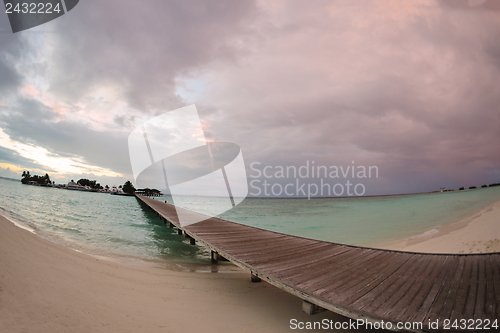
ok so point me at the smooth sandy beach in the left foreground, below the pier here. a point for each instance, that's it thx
(46, 287)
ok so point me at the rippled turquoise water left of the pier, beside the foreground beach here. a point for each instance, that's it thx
(98, 223)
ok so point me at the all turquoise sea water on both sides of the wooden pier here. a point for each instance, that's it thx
(115, 225)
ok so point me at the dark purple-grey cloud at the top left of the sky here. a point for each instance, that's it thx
(141, 47)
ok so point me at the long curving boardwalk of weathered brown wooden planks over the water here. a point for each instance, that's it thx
(357, 282)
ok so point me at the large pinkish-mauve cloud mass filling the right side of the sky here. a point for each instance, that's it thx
(416, 94)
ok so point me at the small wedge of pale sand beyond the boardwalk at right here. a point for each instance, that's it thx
(477, 233)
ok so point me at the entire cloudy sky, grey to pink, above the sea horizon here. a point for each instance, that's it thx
(411, 87)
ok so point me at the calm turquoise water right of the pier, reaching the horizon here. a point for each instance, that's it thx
(368, 221)
